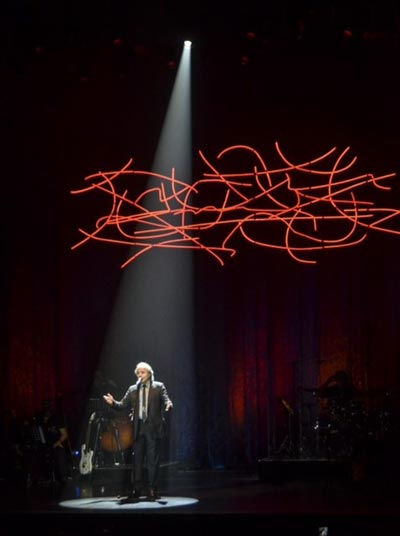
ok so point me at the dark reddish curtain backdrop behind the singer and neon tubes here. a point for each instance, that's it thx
(267, 328)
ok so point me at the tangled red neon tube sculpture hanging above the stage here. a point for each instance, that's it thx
(297, 208)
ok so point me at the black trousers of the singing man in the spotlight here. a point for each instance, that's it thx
(146, 458)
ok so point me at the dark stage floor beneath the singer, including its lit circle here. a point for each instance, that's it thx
(194, 500)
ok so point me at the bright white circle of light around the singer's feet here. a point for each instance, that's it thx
(114, 503)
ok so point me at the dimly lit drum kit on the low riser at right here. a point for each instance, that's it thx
(333, 423)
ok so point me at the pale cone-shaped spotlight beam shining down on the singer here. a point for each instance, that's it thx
(153, 316)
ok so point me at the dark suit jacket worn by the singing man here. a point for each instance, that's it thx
(157, 400)
